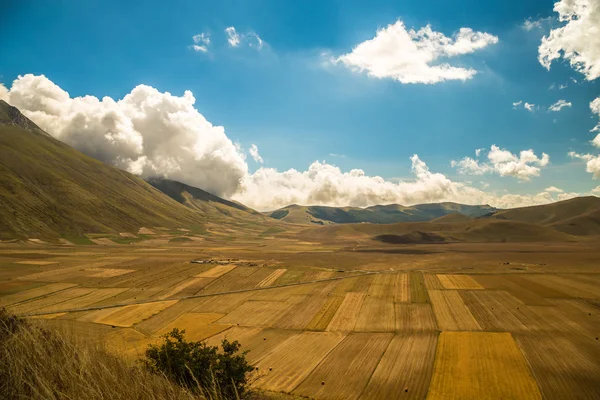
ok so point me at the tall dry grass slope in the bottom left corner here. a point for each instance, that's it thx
(38, 364)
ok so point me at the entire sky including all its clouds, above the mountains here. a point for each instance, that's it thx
(320, 102)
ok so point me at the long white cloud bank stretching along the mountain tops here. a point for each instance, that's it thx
(159, 134)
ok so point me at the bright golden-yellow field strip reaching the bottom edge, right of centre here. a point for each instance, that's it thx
(479, 366)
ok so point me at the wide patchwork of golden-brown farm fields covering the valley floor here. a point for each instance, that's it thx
(328, 319)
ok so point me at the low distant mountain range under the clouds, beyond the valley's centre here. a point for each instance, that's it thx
(381, 214)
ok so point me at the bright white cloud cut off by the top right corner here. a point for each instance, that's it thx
(578, 41)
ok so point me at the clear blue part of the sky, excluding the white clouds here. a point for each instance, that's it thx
(296, 105)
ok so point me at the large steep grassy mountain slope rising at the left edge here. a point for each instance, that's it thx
(48, 190)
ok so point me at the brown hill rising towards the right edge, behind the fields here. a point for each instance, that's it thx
(579, 216)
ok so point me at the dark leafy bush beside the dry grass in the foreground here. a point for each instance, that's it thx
(201, 368)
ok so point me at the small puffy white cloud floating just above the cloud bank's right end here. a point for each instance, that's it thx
(524, 166)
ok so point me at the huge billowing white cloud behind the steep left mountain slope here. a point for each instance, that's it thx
(147, 132)
